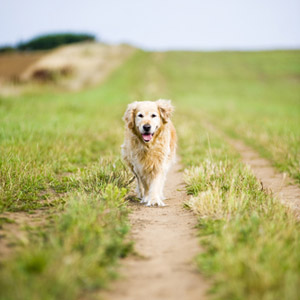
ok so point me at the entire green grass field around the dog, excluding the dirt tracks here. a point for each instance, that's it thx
(60, 152)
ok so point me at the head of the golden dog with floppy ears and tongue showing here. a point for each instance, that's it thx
(145, 118)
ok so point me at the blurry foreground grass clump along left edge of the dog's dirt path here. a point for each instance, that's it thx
(79, 251)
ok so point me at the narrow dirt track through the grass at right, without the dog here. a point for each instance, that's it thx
(282, 186)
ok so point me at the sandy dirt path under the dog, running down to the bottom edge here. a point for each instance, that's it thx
(166, 240)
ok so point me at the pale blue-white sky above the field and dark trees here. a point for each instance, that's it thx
(159, 24)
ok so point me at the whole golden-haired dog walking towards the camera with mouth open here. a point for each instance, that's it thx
(149, 154)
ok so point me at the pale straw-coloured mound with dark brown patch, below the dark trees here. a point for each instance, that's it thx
(78, 65)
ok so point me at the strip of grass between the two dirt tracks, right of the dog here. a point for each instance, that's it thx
(251, 242)
